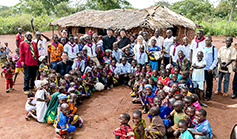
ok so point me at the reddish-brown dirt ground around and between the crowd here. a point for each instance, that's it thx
(100, 112)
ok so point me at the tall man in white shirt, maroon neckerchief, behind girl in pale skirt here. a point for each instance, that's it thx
(197, 44)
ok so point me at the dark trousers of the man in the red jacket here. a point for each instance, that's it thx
(29, 77)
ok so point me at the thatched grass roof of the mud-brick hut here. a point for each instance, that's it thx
(152, 17)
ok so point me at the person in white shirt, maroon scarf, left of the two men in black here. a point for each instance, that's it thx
(91, 50)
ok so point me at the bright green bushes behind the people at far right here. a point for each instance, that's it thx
(221, 27)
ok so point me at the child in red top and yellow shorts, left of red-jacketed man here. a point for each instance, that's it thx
(18, 66)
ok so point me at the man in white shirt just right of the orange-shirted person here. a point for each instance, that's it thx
(71, 48)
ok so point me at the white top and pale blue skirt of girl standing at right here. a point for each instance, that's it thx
(198, 74)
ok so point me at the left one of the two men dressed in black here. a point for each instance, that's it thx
(108, 40)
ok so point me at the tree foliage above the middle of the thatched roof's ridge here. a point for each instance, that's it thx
(107, 4)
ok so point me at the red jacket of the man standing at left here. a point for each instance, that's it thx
(25, 54)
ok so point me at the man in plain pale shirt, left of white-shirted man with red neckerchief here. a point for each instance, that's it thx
(168, 42)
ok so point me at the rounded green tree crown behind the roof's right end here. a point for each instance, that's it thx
(194, 9)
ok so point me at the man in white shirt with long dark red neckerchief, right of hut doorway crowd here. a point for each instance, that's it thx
(174, 49)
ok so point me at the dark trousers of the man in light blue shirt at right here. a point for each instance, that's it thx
(209, 84)
